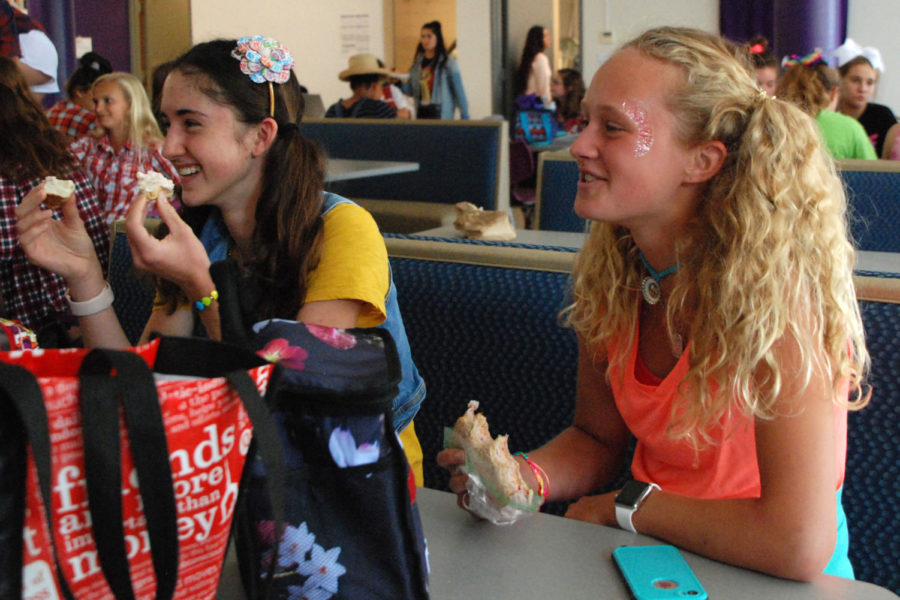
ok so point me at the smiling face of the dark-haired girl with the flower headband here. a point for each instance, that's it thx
(211, 149)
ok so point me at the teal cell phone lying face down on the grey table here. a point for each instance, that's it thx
(657, 573)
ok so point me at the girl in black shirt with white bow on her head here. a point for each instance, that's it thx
(860, 69)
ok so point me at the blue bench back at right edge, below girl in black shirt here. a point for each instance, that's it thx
(873, 193)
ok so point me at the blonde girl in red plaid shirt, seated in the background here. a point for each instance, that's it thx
(131, 143)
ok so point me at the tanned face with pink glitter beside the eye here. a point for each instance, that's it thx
(631, 165)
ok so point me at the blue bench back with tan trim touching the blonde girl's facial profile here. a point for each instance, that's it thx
(557, 184)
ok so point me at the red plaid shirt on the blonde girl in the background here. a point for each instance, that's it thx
(114, 174)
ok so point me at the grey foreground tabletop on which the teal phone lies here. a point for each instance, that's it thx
(545, 556)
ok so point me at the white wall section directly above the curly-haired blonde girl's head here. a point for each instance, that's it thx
(625, 19)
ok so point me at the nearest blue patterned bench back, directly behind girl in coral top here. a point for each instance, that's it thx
(482, 324)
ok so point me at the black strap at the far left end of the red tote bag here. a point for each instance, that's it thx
(20, 389)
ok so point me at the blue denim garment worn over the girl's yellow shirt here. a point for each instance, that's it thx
(411, 389)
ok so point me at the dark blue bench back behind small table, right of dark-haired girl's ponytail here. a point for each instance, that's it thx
(458, 161)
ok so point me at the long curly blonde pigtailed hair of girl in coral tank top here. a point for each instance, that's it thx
(766, 256)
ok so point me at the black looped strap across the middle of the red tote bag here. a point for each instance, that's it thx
(108, 377)
